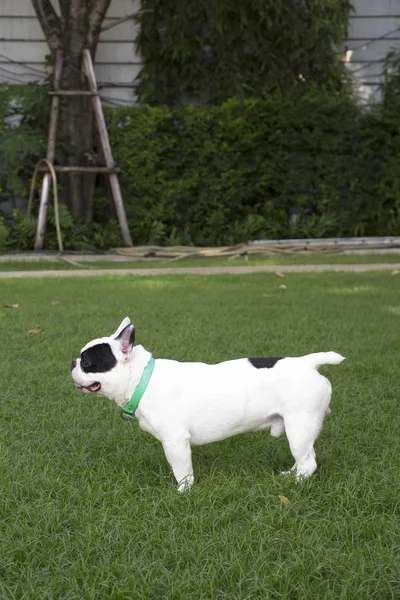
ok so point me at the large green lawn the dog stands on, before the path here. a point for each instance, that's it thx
(89, 507)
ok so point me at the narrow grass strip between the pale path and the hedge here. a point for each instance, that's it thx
(312, 258)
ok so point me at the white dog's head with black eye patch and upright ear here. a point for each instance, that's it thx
(104, 365)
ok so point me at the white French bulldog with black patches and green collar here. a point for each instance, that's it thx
(185, 404)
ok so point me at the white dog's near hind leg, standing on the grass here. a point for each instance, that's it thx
(302, 430)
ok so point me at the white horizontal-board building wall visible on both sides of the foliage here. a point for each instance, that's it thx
(373, 32)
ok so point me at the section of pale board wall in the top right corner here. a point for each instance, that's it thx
(374, 31)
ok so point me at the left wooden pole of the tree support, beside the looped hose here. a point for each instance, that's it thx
(51, 147)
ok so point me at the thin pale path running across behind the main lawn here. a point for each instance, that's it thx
(204, 270)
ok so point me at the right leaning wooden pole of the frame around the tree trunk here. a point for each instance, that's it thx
(103, 134)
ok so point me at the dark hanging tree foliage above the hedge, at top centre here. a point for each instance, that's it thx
(211, 51)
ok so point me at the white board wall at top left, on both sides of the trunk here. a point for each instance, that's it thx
(22, 41)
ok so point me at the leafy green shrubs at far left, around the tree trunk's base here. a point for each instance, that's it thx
(23, 124)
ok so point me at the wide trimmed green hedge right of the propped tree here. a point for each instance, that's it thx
(315, 165)
